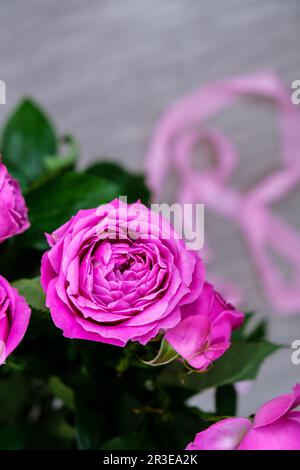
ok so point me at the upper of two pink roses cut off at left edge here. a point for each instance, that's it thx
(13, 210)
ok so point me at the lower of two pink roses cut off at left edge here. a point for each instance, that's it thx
(14, 318)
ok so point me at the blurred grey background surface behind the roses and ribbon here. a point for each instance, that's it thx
(105, 71)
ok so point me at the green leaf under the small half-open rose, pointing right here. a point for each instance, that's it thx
(241, 362)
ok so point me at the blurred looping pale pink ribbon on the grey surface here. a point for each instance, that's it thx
(175, 137)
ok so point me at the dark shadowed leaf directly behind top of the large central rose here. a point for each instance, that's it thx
(131, 185)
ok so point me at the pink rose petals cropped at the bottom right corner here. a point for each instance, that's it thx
(276, 426)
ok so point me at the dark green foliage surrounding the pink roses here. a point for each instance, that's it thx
(61, 393)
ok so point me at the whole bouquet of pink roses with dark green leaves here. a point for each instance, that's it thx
(108, 323)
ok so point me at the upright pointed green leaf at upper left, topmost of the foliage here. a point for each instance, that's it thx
(28, 137)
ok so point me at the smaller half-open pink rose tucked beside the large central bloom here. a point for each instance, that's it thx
(204, 332)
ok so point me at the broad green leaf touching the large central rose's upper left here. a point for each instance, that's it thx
(56, 201)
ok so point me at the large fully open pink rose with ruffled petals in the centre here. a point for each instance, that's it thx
(118, 273)
